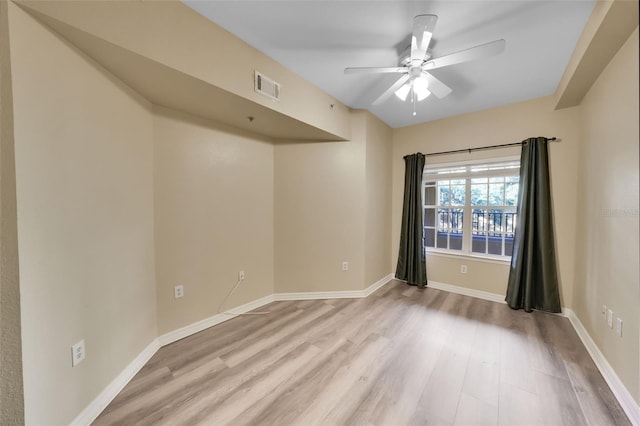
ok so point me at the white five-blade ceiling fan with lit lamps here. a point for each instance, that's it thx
(416, 78)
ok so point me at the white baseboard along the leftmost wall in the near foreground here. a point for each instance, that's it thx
(93, 410)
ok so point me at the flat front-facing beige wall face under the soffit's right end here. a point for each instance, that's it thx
(319, 213)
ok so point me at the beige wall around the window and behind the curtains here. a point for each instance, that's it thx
(511, 123)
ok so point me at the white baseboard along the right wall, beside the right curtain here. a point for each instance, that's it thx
(629, 405)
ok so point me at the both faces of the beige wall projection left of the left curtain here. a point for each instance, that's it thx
(332, 205)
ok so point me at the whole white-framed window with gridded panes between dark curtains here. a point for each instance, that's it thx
(471, 208)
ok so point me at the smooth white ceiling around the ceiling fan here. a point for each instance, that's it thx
(318, 39)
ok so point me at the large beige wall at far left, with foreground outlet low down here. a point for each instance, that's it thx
(85, 205)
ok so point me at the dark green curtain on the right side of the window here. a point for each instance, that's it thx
(533, 278)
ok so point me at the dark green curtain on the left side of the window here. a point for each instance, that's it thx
(412, 266)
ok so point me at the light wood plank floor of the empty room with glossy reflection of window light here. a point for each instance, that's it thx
(402, 356)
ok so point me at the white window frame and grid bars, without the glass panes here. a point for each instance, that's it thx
(466, 173)
